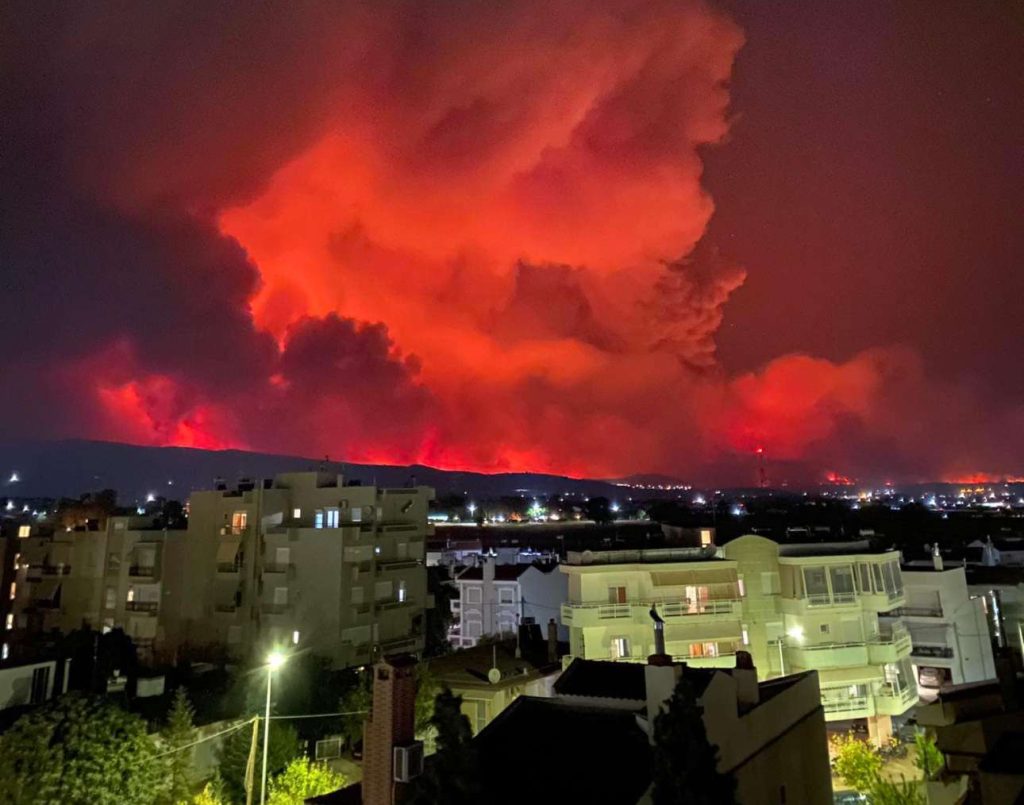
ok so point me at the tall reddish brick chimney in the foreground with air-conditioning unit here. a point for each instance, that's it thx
(392, 724)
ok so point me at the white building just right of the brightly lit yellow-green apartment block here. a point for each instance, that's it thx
(949, 627)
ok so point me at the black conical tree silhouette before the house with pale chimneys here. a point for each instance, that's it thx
(686, 762)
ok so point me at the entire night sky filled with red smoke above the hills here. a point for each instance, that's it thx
(589, 238)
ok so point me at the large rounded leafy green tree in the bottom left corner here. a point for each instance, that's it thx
(79, 751)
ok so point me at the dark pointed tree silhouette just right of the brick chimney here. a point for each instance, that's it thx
(452, 777)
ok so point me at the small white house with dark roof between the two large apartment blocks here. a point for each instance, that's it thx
(494, 600)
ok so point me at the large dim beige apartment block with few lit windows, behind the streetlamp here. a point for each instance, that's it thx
(308, 561)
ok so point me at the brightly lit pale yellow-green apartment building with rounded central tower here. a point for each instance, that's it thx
(800, 608)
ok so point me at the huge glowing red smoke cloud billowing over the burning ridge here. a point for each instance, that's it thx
(456, 234)
